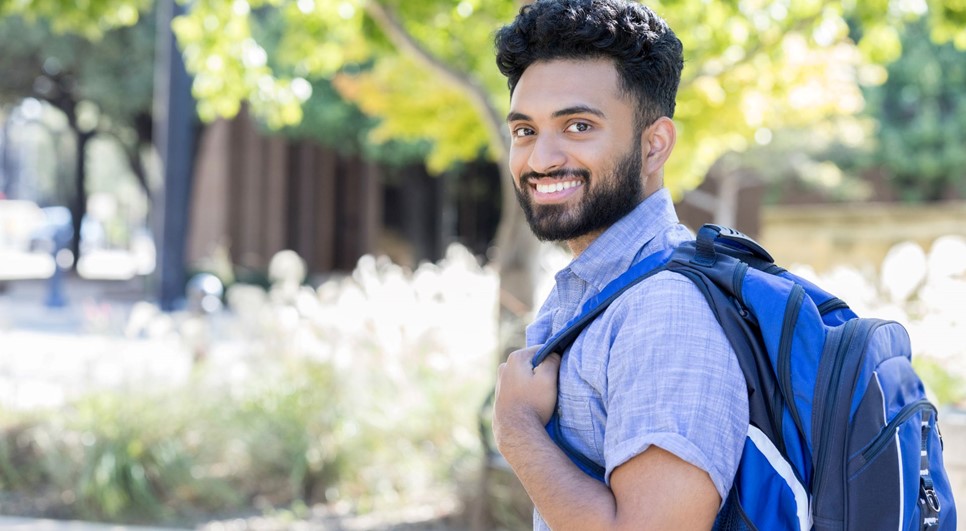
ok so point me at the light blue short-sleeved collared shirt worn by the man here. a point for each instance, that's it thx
(655, 367)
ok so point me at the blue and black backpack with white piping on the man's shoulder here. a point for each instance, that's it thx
(841, 435)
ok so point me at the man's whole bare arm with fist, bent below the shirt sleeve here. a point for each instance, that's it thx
(645, 492)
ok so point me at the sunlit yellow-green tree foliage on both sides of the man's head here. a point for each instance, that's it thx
(426, 70)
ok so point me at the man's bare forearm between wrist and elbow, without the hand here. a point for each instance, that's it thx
(565, 496)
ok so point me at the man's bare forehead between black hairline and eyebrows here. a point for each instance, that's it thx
(548, 86)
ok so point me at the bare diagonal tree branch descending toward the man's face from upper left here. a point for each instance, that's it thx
(479, 98)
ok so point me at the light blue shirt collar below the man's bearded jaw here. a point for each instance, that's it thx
(617, 248)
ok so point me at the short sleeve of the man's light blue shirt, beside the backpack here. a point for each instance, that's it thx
(673, 381)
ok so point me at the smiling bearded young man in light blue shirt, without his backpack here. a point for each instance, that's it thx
(651, 390)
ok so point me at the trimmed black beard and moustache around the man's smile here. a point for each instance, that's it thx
(601, 207)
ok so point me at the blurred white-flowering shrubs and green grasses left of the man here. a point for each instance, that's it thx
(364, 391)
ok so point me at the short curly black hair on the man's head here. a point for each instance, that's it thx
(647, 54)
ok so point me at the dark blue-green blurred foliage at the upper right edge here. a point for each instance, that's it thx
(921, 112)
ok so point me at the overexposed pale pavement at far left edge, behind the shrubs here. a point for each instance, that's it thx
(50, 355)
